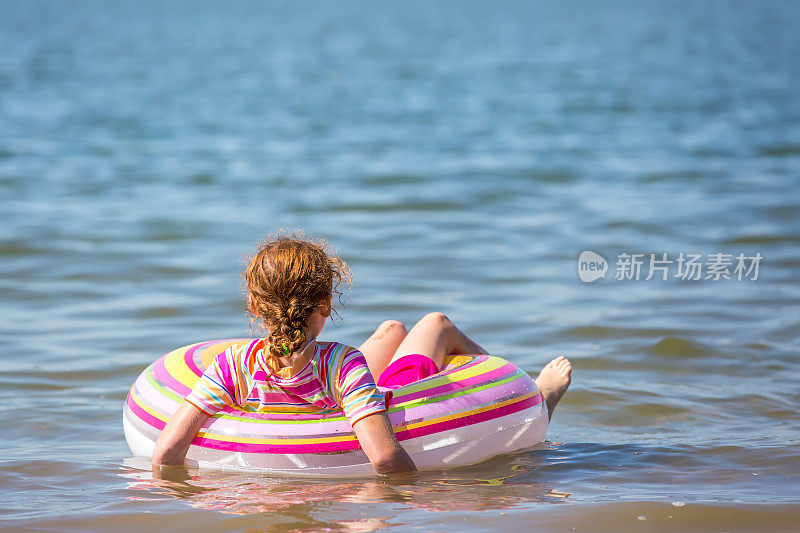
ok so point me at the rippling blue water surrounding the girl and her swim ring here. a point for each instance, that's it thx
(460, 156)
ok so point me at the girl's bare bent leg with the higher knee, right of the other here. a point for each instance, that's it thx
(436, 336)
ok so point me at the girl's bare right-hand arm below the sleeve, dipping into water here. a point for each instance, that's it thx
(376, 436)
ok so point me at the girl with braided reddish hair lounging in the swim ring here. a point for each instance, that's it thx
(290, 284)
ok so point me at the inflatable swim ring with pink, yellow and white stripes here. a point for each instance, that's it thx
(477, 407)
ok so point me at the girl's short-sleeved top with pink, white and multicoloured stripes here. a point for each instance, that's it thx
(335, 379)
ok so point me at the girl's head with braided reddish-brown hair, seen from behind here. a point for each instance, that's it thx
(286, 282)
